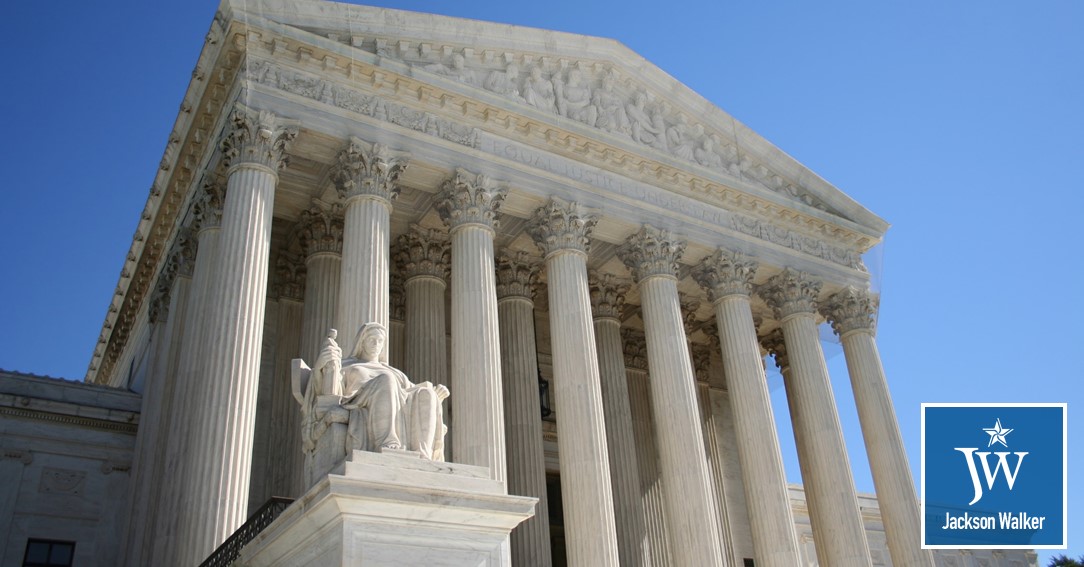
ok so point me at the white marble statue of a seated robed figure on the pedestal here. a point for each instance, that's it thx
(359, 403)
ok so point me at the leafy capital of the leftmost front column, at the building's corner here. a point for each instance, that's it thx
(259, 138)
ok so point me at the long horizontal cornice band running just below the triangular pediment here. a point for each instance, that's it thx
(317, 69)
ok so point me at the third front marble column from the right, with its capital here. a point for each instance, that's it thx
(728, 278)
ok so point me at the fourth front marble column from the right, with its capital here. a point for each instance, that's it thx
(652, 255)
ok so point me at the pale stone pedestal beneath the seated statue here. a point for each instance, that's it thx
(394, 509)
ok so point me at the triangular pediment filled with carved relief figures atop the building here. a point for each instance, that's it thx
(595, 85)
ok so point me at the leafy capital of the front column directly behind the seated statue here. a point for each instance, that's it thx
(368, 170)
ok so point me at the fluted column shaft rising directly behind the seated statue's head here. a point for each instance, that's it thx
(364, 292)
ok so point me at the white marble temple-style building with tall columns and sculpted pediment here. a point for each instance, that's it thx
(592, 259)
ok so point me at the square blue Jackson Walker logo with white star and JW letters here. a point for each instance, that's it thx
(995, 476)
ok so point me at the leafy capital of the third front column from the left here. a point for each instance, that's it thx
(471, 199)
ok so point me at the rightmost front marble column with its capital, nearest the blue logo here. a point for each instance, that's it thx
(853, 314)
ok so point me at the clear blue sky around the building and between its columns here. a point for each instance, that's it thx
(960, 123)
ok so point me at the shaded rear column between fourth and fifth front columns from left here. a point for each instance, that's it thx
(608, 302)
